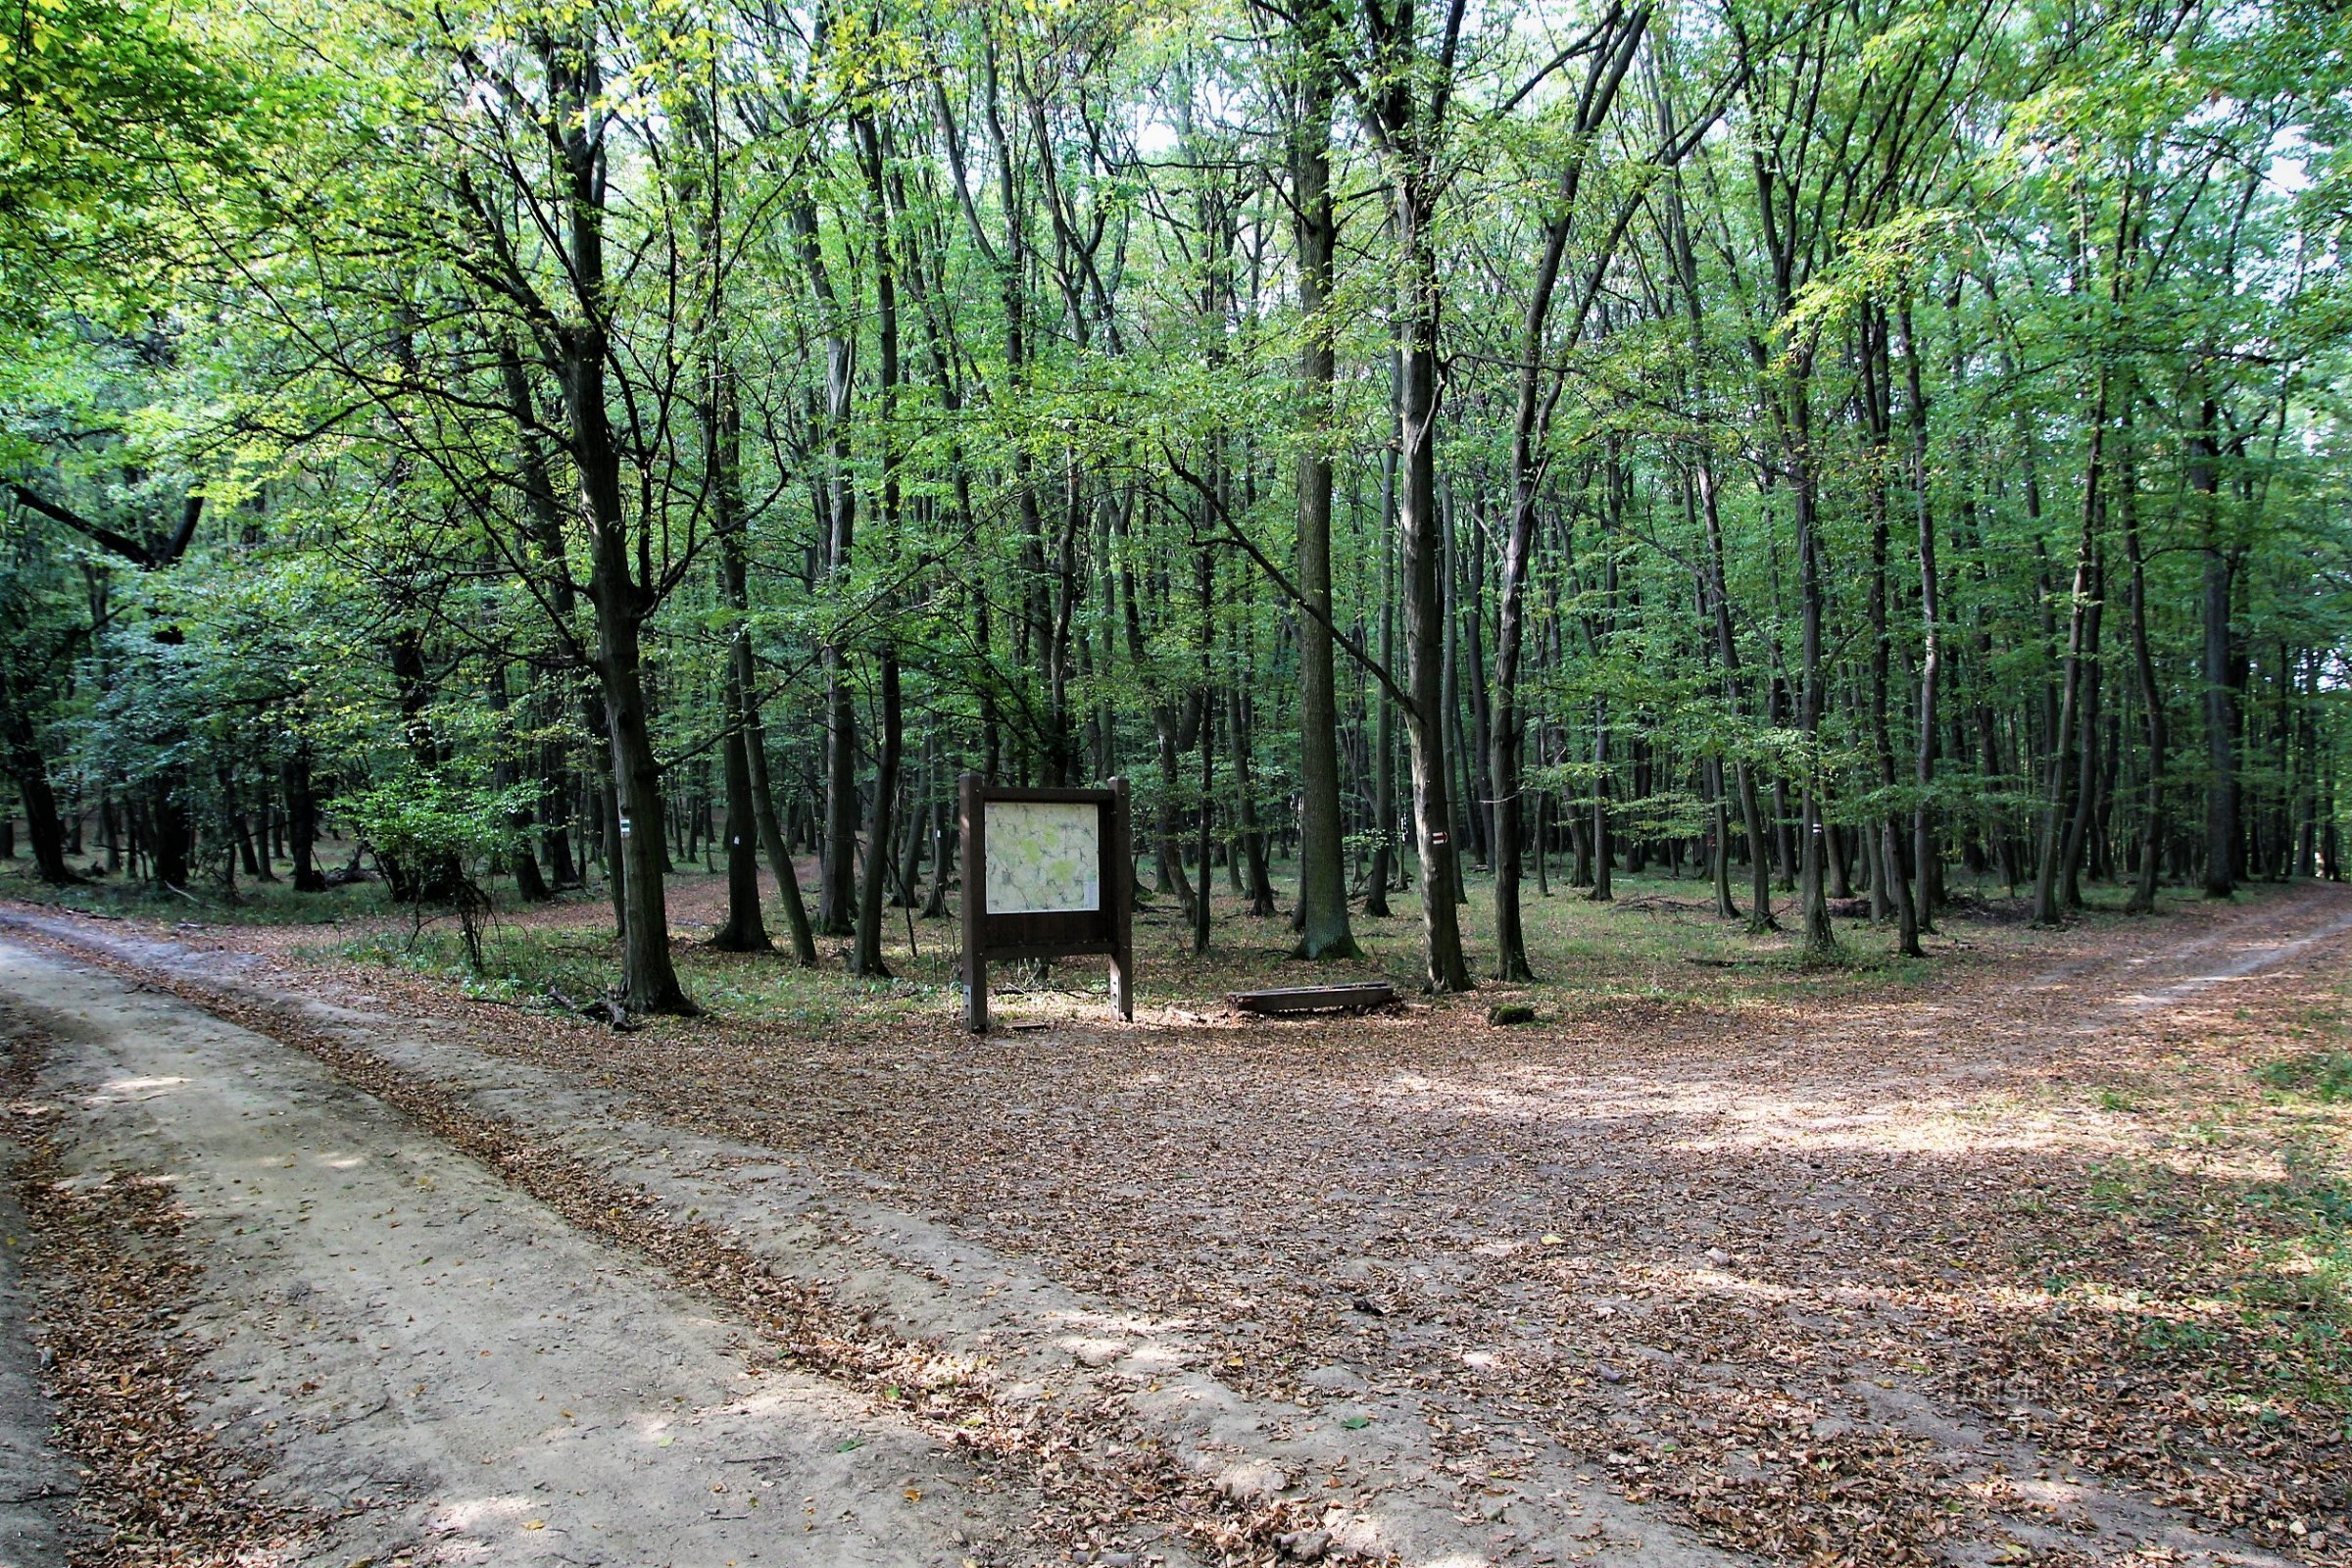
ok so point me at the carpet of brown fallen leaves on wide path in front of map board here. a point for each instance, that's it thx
(1989, 1264)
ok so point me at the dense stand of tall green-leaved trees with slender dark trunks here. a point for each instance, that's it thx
(1838, 450)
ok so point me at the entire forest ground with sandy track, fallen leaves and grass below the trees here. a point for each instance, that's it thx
(2036, 1252)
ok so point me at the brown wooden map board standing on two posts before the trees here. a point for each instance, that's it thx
(1057, 909)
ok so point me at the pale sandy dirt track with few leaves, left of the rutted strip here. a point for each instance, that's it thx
(450, 1362)
